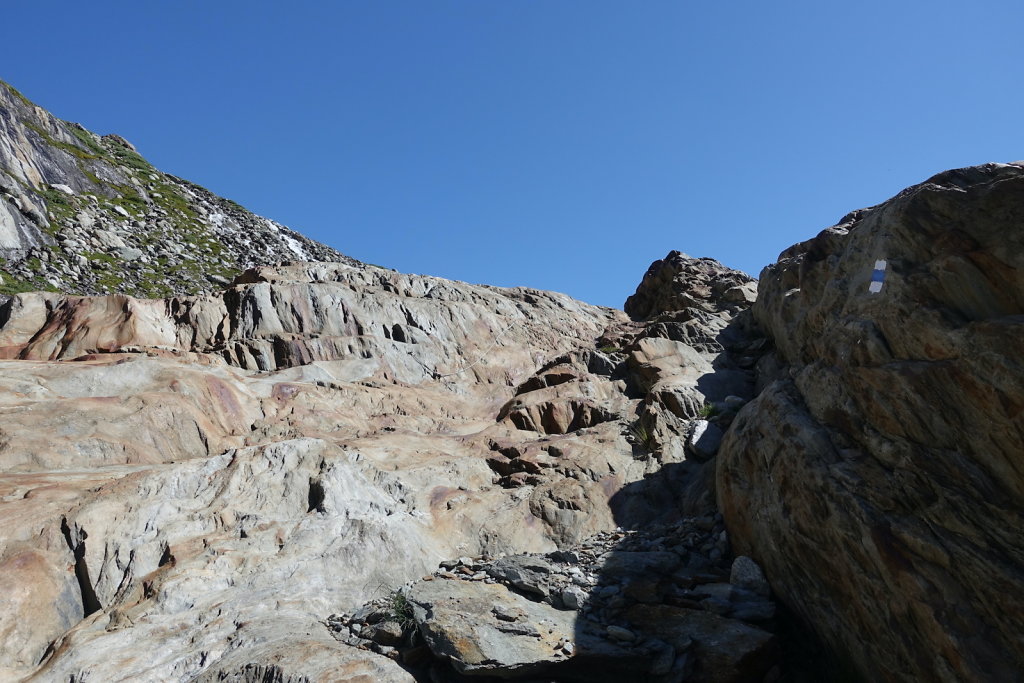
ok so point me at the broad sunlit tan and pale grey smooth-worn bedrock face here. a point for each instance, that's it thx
(216, 476)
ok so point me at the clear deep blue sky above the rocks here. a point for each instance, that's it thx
(559, 145)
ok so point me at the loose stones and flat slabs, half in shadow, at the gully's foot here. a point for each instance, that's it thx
(664, 603)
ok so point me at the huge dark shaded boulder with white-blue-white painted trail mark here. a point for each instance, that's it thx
(879, 477)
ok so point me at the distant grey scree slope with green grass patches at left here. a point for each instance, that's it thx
(87, 215)
